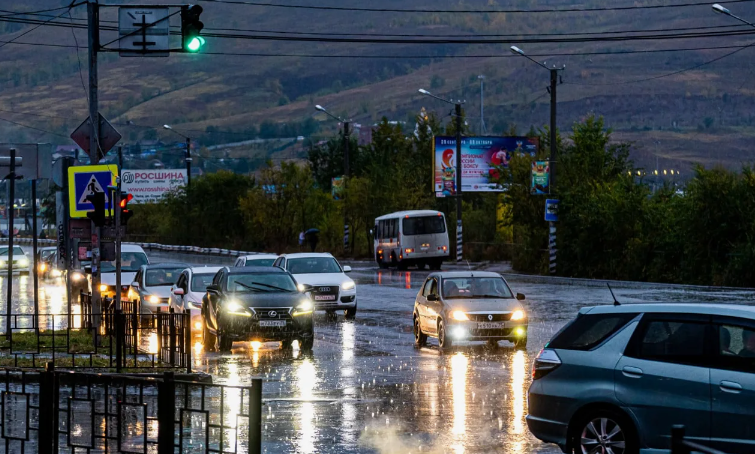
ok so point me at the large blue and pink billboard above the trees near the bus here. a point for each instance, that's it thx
(480, 158)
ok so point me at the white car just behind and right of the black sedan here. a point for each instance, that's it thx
(329, 287)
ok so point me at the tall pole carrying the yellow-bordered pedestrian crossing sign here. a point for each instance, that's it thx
(93, 15)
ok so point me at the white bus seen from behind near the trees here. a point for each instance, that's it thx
(411, 238)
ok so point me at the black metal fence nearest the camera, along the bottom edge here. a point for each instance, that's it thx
(45, 412)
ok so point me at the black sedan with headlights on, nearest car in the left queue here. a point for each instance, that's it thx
(256, 304)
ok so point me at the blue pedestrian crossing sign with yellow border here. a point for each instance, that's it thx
(86, 180)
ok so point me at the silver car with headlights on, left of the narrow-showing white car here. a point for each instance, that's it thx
(153, 284)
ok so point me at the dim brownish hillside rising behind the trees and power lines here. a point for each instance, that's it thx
(700, 115)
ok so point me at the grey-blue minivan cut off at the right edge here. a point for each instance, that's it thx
(616, 379)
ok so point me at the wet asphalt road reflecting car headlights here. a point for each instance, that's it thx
(366, 389)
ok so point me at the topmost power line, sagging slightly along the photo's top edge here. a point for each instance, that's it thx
(451, 11)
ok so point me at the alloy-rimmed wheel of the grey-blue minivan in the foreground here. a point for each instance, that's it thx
(604, 431)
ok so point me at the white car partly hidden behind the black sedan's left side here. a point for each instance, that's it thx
(189, 290)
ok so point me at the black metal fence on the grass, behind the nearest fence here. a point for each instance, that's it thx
(108, 339)
